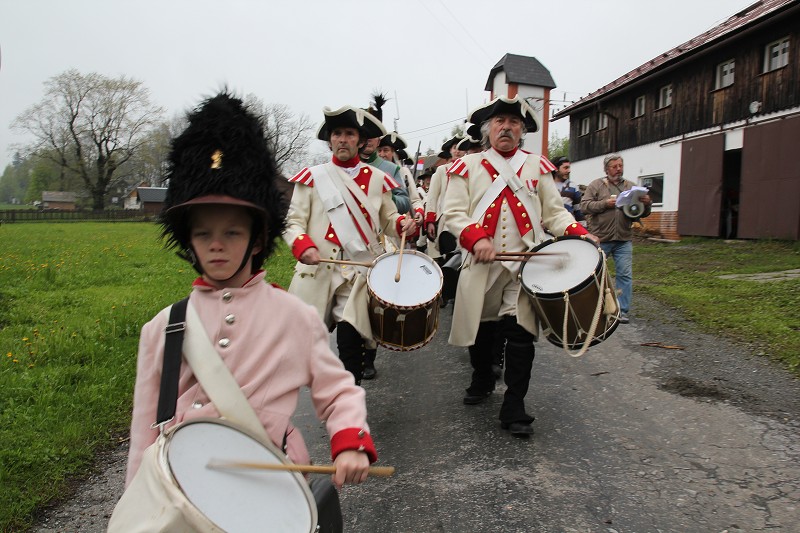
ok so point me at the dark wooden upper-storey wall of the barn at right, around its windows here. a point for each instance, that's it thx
(696, 104)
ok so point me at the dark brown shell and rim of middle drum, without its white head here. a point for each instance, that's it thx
(404, 327)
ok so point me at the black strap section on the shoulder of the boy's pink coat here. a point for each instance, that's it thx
(173, 344)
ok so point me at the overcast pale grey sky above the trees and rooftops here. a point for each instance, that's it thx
(431, 57)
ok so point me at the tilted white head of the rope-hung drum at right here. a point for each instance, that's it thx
(577, 259)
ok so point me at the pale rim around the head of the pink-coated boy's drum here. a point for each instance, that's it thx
(163, 462)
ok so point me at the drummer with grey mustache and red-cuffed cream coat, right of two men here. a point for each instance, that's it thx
(498, 201)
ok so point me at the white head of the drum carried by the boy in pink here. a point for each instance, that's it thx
(237, 500)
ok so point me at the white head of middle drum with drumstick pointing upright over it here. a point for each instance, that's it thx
(420, 279)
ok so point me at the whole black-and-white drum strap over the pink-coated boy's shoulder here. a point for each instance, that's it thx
(215, 378)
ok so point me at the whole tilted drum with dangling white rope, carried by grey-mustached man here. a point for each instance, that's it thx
(571, 282)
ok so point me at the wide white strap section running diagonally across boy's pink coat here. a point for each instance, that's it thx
(216, 378)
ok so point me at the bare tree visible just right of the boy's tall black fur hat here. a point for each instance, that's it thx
(288, 136)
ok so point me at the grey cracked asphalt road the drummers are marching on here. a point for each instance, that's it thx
(628, 438)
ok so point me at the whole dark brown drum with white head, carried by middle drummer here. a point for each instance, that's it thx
(404, 314)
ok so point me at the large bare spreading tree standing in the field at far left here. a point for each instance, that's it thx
(90, 125)
